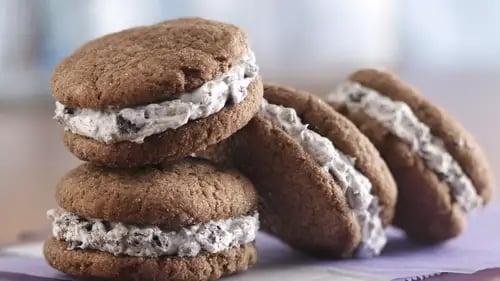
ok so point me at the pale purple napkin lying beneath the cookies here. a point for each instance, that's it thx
(476, 250)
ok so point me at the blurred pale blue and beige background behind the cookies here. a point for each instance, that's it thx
(449, 49)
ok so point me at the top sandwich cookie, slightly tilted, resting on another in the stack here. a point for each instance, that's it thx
(157, 93)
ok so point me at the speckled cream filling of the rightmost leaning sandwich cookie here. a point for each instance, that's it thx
(400, 120)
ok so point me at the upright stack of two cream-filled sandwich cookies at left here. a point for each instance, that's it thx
(135, 105)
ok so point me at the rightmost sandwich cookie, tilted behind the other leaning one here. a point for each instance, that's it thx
(439, 168)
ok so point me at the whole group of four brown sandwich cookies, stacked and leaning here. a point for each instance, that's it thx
(329, 177)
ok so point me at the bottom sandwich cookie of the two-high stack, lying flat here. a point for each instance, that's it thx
(188, 221)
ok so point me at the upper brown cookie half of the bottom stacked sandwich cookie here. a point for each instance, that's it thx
(184, 193)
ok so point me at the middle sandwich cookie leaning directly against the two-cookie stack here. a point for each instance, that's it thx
(323, 187)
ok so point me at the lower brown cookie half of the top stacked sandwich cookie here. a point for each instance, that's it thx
(170, 145)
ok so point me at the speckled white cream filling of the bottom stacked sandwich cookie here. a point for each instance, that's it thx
(151, 241)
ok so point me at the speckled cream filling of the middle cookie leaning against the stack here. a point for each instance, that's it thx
(355, 185)
